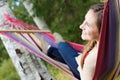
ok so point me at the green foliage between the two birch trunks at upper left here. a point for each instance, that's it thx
(20, 12)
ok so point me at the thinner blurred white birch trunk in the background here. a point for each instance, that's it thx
(39, 22)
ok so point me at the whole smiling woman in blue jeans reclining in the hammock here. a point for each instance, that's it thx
(82, 65)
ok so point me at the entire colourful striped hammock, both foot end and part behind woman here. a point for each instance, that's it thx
(108, 62)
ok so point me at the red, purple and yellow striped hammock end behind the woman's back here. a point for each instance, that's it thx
(108, 61)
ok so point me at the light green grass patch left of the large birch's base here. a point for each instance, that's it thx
(7, 71)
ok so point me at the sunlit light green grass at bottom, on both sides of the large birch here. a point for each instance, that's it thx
(8, 72)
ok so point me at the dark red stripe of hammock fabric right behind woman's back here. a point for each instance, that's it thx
(102, 60)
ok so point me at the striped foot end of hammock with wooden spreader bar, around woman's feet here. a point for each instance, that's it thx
(30, 40)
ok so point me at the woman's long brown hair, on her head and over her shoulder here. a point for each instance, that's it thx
(98, 9)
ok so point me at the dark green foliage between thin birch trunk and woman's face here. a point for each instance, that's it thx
(63, 16)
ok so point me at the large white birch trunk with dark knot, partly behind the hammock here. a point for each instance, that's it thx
(28, 66)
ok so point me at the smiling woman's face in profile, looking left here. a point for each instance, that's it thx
(89, 26)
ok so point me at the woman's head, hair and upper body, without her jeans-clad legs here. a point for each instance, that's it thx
(90, 32)
